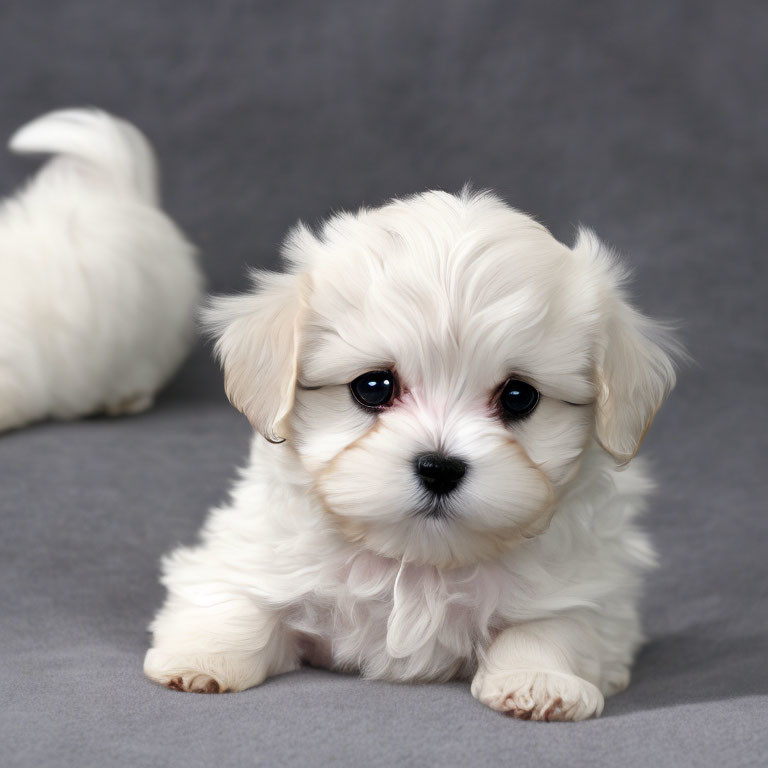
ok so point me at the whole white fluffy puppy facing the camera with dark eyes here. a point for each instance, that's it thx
(443, 393)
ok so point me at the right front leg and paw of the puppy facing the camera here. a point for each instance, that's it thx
(543, 670)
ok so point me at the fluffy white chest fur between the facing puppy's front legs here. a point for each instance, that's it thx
(396, 622)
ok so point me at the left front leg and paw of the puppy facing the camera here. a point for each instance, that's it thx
(209, 638)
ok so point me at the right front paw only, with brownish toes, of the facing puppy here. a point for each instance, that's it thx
(535, 694)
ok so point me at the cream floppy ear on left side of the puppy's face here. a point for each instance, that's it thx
(257, 344)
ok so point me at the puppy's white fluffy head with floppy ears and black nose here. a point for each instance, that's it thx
(439, 366)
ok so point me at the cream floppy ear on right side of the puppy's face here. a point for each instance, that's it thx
(633, 366)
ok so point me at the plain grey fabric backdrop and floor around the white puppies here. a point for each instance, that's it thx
(647, 121)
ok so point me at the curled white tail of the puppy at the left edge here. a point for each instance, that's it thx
(97, 140)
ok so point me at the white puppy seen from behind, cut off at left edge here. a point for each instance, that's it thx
(98, 287)
